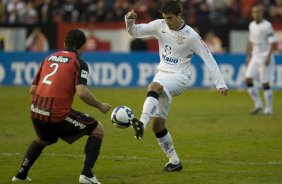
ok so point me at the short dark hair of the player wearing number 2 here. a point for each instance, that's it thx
(75, 39)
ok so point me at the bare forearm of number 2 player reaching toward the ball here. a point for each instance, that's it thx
(86, 96)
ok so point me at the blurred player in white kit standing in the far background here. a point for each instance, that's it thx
(260, 60)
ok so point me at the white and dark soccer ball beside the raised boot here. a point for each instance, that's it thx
(122, 116)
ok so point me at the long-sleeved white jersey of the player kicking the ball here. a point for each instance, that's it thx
(176, 48)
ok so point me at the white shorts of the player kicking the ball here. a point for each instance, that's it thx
(173, 85)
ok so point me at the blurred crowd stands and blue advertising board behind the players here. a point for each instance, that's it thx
(227, 19)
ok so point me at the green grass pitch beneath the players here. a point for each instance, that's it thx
(215, 137)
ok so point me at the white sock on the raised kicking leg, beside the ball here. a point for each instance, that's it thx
(149, 109)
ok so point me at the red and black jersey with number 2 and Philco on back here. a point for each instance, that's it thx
(56, 79)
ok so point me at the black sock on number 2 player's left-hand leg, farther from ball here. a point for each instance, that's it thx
(32, 153)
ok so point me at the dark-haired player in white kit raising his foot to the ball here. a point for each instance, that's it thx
(177, 43)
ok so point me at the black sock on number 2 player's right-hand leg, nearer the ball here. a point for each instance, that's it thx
(92, 149)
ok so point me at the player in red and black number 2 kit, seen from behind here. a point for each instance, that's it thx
(60, 76)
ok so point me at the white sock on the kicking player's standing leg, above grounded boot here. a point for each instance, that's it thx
(166, 145)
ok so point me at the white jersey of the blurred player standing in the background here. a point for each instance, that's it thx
(261, 35)
